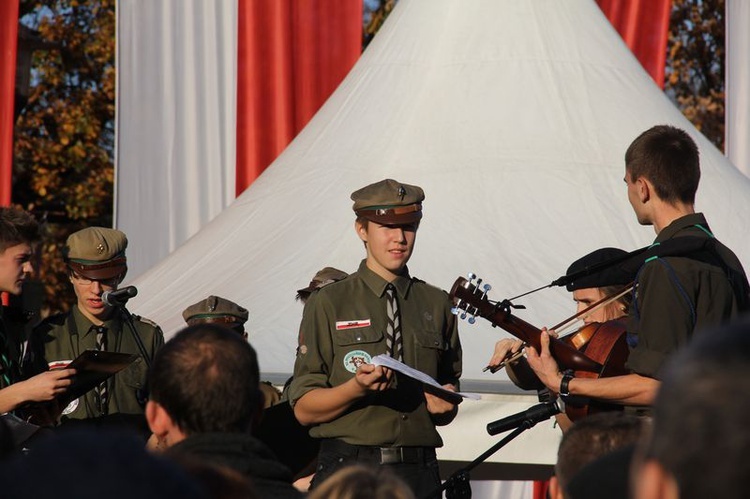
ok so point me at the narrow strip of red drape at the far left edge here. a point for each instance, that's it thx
(8, 44)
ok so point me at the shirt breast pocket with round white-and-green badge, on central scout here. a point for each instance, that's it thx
(354, 347)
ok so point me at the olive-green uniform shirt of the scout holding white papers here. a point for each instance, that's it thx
(344, 324)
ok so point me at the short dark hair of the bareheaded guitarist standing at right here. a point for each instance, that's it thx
(668, 158)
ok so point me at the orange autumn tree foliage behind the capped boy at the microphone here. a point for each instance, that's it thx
(64, 135)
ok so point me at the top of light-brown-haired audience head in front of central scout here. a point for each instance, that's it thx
(362, 482)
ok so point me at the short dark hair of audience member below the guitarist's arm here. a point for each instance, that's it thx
(593, 437)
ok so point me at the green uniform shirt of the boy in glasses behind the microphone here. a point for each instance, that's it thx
(60, 339)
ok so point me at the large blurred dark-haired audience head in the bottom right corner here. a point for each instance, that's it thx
(699, 444)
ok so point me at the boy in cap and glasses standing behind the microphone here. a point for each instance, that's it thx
(96, 263)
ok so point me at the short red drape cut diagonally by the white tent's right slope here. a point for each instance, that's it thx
(644, 26)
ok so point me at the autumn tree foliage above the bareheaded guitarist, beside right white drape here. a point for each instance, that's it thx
(694, 76)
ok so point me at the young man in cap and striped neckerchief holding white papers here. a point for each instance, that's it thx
(364, 412)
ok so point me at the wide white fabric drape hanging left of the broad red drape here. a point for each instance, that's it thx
(176, 108)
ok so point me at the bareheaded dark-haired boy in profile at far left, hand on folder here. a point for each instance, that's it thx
(18, 233)
